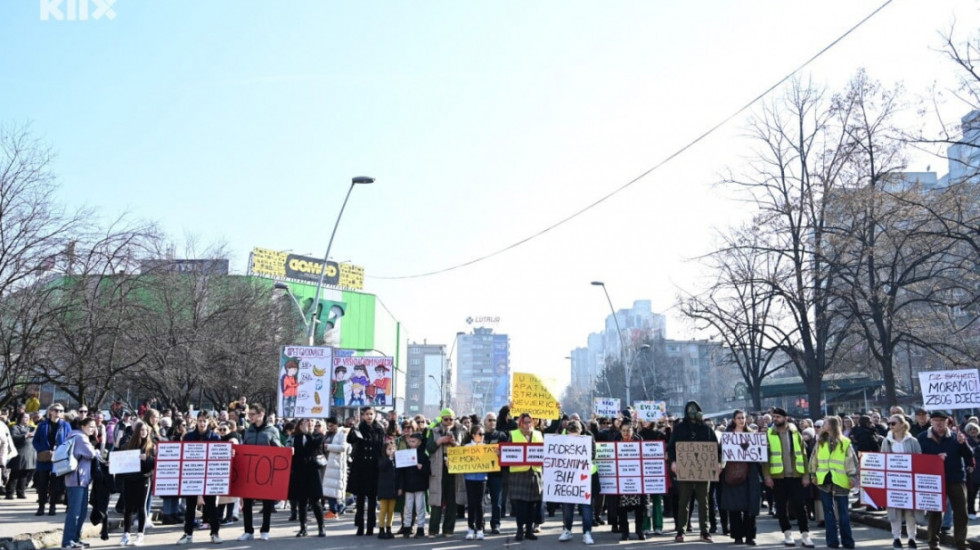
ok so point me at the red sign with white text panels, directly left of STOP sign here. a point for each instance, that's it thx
(191, 468)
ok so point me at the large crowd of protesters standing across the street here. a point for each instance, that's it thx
(810, 477)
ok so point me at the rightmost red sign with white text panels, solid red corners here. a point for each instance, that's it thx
(909, 481)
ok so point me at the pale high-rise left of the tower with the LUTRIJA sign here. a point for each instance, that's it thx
(425, 379)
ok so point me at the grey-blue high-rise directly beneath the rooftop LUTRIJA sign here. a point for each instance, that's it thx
(482, 371)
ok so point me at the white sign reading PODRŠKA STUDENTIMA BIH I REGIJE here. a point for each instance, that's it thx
(567, 471)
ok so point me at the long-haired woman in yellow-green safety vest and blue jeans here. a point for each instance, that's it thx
(834, 463)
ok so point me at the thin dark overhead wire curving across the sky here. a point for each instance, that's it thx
(669, 158)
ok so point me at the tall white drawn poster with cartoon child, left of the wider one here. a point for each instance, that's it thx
(302, 386)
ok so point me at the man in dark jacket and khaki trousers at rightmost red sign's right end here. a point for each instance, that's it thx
(939, 440)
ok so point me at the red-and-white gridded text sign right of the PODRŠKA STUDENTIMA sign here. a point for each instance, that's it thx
(632, 467)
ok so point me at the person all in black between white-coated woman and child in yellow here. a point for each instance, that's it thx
(367, 442)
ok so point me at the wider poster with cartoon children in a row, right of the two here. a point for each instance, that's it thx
(358, 381)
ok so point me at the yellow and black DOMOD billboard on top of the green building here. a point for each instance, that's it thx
(274, 264)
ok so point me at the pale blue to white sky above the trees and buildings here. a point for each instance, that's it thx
(242, 122)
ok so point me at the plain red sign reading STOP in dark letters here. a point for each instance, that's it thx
(261, 472)
